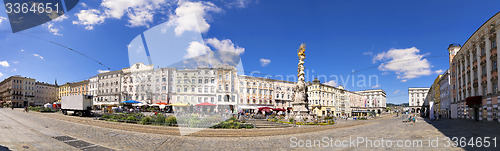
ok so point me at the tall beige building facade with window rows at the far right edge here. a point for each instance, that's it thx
(474, 73)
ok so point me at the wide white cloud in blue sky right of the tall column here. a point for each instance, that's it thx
(406, 63)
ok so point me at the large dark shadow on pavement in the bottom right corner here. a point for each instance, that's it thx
(456, 129)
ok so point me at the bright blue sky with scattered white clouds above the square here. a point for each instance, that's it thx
(341, 37)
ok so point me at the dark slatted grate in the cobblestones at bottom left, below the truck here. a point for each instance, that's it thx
(86, 146)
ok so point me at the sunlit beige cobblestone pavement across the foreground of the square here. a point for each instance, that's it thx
(120, 136)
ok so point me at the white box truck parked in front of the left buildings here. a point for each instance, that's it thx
(80, 105)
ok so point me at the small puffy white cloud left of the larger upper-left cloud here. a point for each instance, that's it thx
(89, 18)
